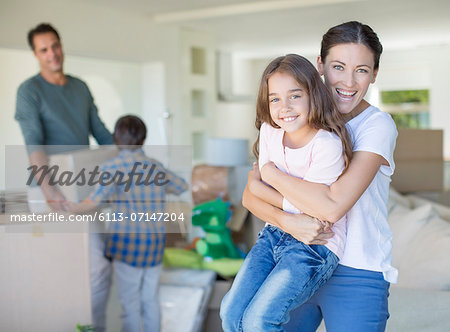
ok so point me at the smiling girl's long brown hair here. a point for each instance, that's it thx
(323, 113)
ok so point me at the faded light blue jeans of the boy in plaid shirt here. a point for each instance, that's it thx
(138, 295)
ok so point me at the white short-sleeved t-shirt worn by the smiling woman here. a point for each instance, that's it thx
(369, 238)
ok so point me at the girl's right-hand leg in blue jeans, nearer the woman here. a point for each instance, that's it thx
(299, 272)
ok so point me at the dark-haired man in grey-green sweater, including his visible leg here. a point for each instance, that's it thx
(54, 108)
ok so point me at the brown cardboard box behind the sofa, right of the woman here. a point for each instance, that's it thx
(419, 160)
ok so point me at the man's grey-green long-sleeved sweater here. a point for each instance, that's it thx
(51, 114)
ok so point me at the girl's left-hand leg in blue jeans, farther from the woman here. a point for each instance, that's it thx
(257, 266)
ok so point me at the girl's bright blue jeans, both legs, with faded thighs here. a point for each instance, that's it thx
(279, 274)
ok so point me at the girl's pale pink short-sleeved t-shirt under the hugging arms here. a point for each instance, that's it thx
(320, 161)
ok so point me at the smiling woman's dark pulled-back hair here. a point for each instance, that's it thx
(352, 32)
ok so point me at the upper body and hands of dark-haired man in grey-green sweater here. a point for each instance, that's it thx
(54, 108)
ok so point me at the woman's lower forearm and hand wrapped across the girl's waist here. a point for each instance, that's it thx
(302, 227)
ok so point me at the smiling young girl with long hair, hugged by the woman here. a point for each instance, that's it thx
(302, 133)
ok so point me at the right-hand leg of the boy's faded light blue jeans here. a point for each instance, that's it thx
(151, 315)
